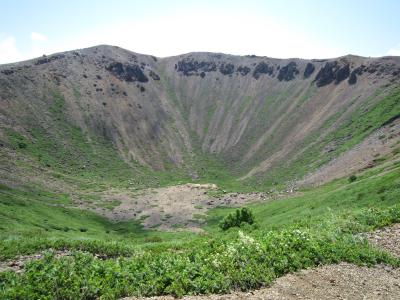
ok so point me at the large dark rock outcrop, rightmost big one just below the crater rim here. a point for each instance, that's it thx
(332, 72)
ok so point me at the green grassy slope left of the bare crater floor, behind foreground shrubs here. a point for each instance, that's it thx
(33, 219)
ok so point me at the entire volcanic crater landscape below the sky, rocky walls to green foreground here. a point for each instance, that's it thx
(117, 169)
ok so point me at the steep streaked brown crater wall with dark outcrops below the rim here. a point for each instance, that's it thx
(267, 120)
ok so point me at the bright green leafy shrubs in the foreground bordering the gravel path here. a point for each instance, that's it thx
(237, 261)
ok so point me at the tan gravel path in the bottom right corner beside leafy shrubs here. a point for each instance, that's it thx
(342, 281)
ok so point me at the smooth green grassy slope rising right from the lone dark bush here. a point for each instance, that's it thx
(378, 187)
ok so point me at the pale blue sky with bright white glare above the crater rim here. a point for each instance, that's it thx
(280, 28)
